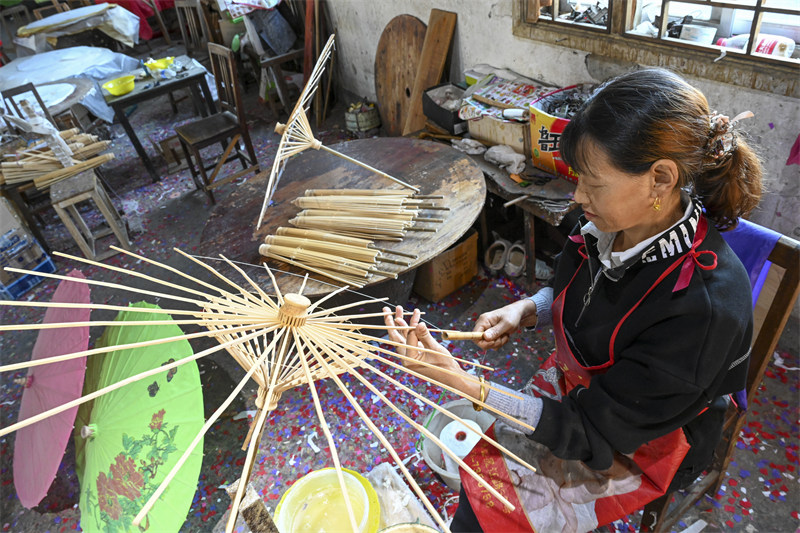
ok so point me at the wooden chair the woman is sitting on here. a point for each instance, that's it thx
(771, 310)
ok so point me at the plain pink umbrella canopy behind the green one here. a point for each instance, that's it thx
(40, 447)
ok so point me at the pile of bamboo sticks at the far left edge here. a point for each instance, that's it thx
(40, 165)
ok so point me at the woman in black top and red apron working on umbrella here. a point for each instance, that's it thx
(651, 313)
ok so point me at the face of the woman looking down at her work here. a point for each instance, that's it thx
(614, 200)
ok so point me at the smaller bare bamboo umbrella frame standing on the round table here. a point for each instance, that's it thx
(297, 135)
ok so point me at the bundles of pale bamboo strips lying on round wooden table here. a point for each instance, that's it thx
(335, 233)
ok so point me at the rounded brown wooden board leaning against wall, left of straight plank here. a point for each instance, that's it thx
(396, 65)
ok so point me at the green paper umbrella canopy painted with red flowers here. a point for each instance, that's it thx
(129, 439)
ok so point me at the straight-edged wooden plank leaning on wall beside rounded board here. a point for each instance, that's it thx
(441, 26)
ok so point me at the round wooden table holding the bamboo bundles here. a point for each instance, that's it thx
(435, 168)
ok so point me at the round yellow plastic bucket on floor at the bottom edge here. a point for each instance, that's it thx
(316, 503)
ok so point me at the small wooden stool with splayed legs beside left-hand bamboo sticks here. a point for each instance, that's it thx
(66, 194)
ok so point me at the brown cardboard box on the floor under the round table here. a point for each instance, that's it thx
(450, 270)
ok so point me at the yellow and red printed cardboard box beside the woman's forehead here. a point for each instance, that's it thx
(545, 134)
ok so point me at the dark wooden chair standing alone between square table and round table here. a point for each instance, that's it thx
(227, 125)
